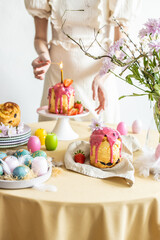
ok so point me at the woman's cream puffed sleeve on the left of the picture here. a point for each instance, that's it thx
(39, 8)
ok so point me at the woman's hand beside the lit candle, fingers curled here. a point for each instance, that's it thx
(41, 65)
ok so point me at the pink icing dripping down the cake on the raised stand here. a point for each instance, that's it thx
(60, 90)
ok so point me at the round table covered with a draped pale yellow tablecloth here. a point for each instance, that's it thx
(83, 208)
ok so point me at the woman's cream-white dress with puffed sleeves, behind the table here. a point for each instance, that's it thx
(96, 14)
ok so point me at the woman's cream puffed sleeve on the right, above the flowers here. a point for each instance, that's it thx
(124, 11)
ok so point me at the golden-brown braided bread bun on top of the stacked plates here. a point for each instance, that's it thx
(10, 114)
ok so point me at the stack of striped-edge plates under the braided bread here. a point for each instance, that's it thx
(16, 140)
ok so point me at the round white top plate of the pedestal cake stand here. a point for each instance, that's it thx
(44, 111)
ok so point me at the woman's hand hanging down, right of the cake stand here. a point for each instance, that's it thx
(98, 92)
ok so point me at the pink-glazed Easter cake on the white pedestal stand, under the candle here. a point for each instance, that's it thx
(61, 97)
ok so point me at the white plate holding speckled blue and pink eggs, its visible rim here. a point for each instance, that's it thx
(7, 184)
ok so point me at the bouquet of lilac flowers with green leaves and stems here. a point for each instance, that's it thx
(139, 63)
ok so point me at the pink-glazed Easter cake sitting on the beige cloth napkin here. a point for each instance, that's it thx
(105, 147)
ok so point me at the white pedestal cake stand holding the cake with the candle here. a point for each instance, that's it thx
(63, 128)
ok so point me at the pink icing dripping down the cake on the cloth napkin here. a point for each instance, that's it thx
(97, 137)
